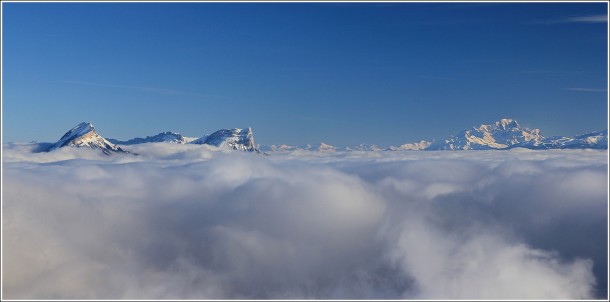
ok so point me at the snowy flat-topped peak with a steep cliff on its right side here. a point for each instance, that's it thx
(236, 139)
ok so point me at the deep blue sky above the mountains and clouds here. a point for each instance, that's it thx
(298, 73)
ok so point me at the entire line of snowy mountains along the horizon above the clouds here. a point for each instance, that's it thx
(503, 134)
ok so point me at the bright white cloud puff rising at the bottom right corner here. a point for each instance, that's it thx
(483, 265)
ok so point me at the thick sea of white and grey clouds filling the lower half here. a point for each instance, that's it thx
(194, 222)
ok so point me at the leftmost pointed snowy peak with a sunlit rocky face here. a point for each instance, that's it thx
(84, 135)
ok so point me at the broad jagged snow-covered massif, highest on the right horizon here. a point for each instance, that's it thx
(499, 135)
